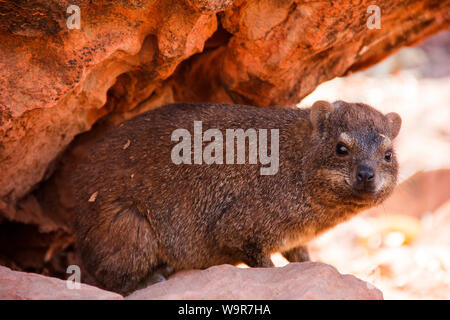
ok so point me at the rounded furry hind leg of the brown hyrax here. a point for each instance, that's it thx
(117, 244)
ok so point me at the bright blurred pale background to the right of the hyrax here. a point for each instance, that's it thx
(403, 246)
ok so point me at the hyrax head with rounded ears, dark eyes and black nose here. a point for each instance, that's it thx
(355, 156)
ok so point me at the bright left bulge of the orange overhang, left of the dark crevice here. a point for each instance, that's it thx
(65, 74)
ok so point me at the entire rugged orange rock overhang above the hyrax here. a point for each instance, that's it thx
(56, 83)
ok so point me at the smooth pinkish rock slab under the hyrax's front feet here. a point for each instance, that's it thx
(308, 280)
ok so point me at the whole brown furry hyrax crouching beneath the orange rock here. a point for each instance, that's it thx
(138, 213)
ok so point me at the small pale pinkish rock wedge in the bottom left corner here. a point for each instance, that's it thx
(30, 286)
